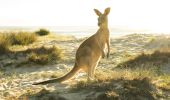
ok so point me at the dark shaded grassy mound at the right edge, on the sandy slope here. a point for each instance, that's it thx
(156, 59)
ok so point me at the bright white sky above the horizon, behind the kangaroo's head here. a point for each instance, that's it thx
(134, 14)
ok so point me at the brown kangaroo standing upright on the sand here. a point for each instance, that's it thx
(90, 51)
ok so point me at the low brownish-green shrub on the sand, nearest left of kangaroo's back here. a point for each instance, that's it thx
(44, 55)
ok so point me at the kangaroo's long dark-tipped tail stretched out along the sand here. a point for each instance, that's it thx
(61, 79)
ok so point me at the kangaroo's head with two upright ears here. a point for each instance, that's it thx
(102, 18)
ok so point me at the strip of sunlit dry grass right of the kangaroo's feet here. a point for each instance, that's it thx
(103, 76)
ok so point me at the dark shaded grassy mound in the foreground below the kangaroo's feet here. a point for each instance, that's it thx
(119, 89)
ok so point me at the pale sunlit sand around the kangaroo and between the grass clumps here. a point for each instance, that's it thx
(17, 81)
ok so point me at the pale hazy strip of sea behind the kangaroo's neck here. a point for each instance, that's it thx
(77, 31)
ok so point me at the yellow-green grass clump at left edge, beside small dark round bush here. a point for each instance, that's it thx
(19, 38)
